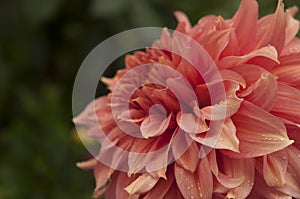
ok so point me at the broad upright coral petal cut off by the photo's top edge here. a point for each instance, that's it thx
(246, 32)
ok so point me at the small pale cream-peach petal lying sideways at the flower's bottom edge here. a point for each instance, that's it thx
(142, 184)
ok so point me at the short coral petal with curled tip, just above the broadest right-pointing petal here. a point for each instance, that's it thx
(263, 92)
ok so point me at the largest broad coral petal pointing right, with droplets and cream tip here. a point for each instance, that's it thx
(258, 131)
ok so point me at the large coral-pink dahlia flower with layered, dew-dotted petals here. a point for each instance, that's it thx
(254, 153)
